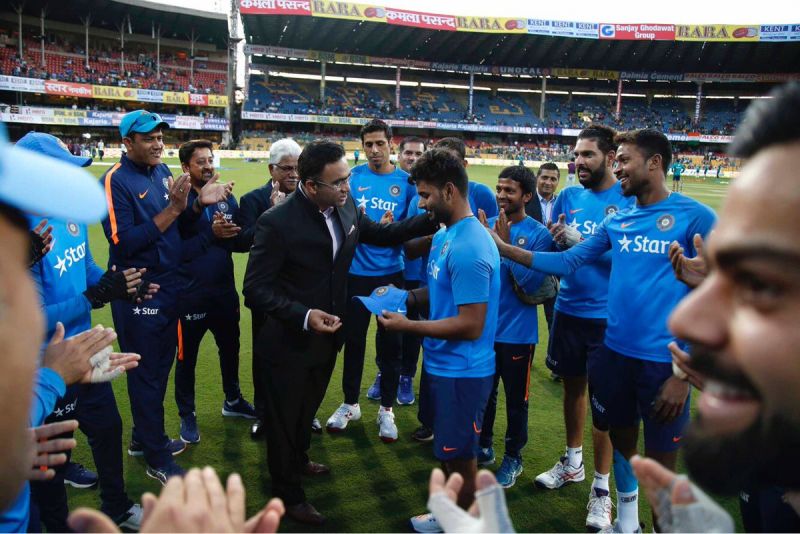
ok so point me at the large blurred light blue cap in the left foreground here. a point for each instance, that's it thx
(44, 185)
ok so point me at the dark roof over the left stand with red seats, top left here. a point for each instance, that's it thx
(108, 14)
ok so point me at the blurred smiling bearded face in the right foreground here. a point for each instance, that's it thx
(743, 326)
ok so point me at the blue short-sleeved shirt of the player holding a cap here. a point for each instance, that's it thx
(463, 268)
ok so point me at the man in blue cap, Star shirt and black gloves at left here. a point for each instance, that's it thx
(70, 286)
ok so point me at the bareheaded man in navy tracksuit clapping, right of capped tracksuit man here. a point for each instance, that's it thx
(210, 300)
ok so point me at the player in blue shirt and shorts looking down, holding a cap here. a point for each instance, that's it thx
(461, 300)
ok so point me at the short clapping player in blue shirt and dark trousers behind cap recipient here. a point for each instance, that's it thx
(517, 322)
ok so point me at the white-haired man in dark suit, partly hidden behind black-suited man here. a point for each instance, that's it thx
(283, 156)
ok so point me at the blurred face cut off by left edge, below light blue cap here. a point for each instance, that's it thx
(21, 334)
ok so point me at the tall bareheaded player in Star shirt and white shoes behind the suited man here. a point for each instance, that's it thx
(377, 187)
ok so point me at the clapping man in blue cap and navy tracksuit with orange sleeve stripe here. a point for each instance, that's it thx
(144, 203)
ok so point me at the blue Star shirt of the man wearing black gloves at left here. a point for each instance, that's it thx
(62, 276)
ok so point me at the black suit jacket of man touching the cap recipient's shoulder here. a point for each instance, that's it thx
(291, 270)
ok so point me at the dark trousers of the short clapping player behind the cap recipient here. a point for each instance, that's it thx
(513, 366)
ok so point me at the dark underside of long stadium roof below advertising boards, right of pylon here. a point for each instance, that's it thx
(518, 50)
